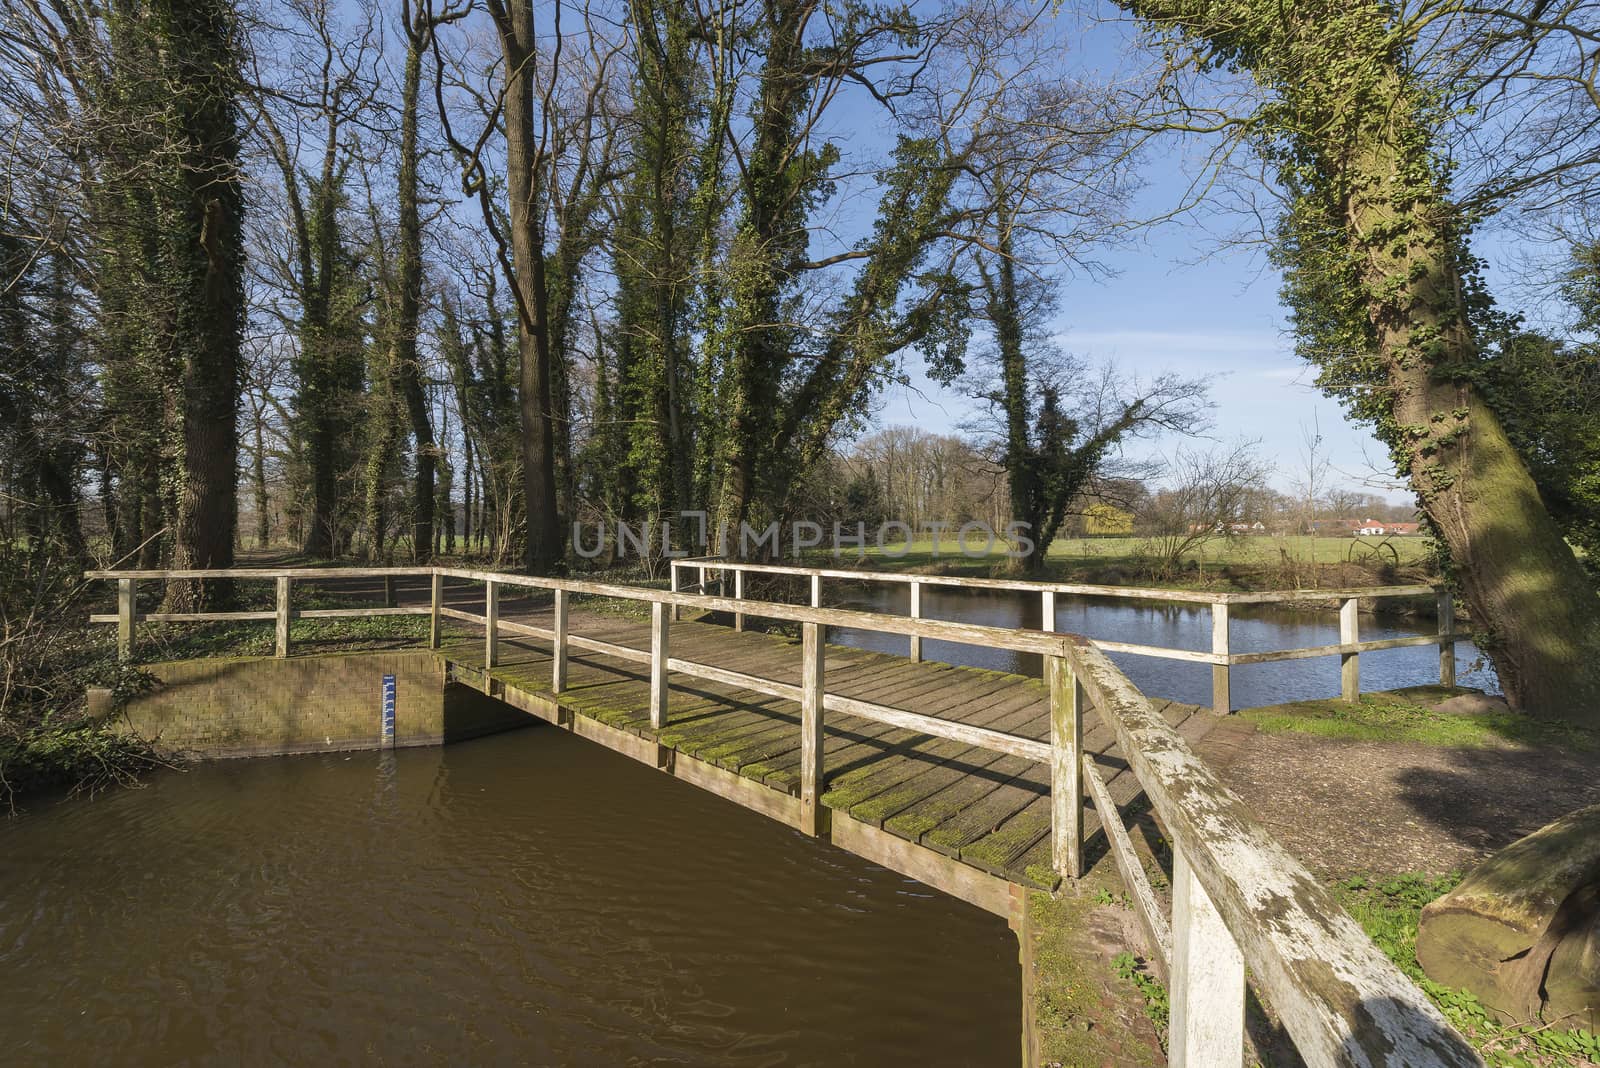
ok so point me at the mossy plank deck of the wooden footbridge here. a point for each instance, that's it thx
(985, 810)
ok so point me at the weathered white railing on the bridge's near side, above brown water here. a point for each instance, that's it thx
(1241, 901)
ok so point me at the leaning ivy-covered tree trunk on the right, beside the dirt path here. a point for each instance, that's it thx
(1372, 250)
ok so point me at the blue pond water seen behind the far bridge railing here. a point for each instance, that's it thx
(1172, 626)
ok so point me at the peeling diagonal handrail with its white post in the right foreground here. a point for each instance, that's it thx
(1242, 901)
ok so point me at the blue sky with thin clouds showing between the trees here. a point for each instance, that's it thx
(1180, 303)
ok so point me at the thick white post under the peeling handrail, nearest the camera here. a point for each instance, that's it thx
(1209, 979)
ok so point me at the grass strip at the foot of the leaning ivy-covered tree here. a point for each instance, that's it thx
(1409, 715)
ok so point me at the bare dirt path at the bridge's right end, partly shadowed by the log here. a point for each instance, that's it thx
(1388, 808)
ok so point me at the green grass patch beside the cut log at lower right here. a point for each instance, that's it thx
(1390, 911)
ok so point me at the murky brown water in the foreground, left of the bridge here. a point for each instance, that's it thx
(519, 899)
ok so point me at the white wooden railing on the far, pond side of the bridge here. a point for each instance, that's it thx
(1222, 656)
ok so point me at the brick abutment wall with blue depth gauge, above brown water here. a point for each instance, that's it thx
(262, 706)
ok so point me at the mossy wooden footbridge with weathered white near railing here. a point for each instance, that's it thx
(977, 783)
